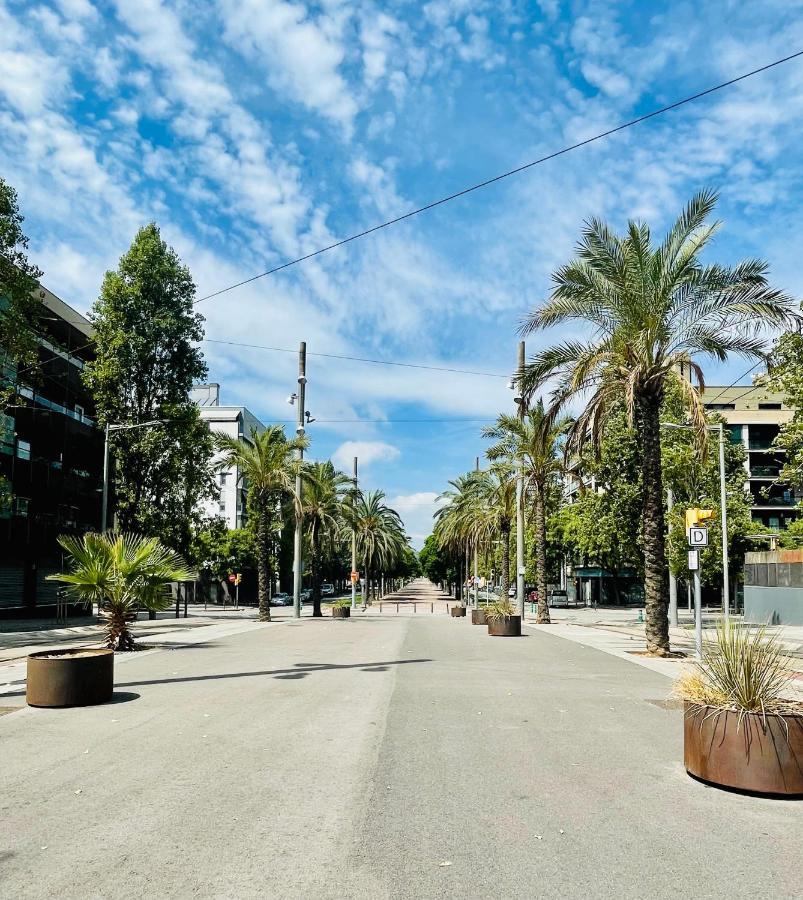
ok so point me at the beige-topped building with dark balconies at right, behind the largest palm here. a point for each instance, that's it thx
(754, 416)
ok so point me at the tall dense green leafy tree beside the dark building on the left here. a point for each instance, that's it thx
(146, 361)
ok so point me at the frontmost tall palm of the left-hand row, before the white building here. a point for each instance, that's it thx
(268, 469)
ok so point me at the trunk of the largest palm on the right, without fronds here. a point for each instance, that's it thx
(656, 585)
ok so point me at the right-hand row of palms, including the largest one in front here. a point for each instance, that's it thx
(639, 317)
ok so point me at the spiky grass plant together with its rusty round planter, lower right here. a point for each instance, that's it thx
(740, 729)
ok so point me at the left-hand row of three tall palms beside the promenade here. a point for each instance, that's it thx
(329, 507)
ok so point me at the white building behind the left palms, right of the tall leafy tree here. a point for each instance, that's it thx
(237, 422)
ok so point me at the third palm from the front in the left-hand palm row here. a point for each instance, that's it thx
(379, 531)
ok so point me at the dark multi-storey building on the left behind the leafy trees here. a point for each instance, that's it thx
(51, 461)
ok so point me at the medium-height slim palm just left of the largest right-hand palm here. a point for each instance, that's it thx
(533, 441)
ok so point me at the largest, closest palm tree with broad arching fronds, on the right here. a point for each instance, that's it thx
(652, 310)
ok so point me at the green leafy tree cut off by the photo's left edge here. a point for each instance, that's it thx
(20, 294)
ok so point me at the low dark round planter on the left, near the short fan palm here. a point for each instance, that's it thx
(74, 677)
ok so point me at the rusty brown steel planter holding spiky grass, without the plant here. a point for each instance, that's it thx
(762, 757)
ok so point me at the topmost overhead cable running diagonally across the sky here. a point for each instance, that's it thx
(489, 181)
